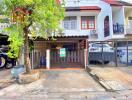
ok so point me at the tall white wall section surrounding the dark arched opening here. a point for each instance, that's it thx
(105, 11)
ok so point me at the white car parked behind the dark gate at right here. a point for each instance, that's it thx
(103, 53)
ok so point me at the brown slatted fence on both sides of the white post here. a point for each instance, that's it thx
(72, 56)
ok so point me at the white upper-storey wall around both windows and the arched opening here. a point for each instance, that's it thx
(99, 18)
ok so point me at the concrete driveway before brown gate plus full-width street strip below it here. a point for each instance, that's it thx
(62, 85)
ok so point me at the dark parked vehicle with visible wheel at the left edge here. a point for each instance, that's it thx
(5, 61)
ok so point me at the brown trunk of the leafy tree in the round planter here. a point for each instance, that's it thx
(26, 51)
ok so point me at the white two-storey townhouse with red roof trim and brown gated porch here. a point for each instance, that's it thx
(85, 20)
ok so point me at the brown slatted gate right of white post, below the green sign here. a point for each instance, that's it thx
(75, 57)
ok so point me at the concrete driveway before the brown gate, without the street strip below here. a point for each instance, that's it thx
(56, 81)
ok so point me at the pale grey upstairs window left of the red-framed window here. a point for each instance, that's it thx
(70, 23)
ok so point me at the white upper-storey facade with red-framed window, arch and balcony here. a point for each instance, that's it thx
(99, 19)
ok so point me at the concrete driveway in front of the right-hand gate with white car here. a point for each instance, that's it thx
(115, 78)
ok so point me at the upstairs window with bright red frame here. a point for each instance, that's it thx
(87, 22)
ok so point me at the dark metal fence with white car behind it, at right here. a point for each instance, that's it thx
(110, 53)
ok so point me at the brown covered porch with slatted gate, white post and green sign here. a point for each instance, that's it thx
(65, 52)
